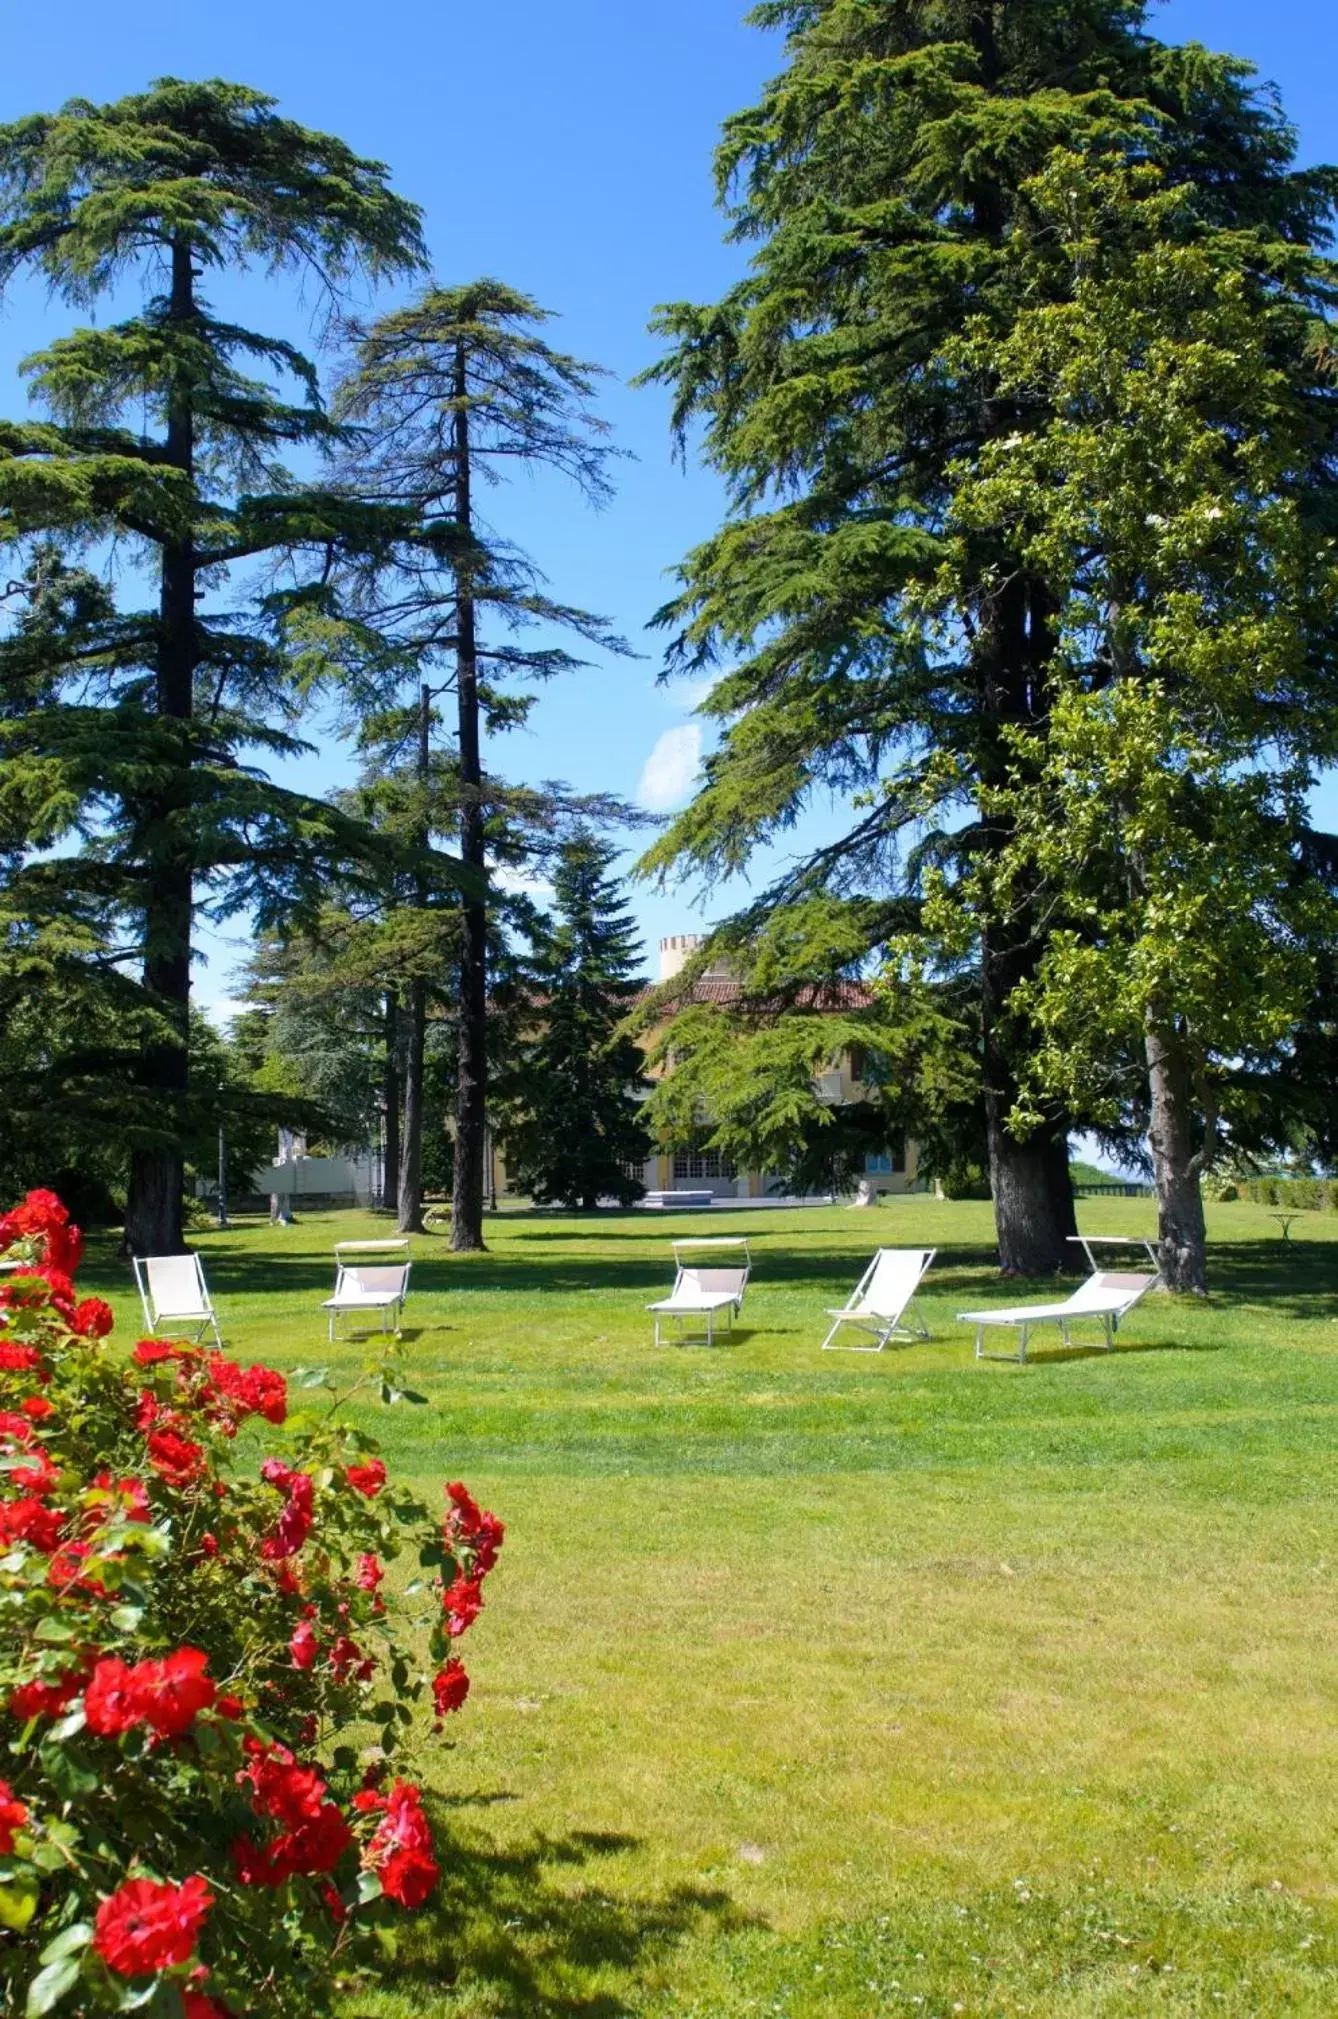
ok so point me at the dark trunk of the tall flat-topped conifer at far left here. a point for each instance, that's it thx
(156, 1172)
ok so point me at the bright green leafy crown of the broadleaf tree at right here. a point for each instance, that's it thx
(1169, 482)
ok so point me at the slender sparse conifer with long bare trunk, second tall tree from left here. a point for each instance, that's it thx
(455, 393)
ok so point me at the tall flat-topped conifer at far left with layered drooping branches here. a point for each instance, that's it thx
(162, 439)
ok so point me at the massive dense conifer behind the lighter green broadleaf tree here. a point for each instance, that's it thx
(881, 183)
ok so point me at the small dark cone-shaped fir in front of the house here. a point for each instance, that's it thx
(572, 1115)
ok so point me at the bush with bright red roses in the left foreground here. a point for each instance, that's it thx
(191, 1640)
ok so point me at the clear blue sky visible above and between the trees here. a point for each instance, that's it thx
(566, 150)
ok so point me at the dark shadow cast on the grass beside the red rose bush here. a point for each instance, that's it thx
(528, 1931)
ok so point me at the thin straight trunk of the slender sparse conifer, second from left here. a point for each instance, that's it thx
(473, 996)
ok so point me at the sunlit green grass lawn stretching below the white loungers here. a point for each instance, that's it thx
(839, 1683)
